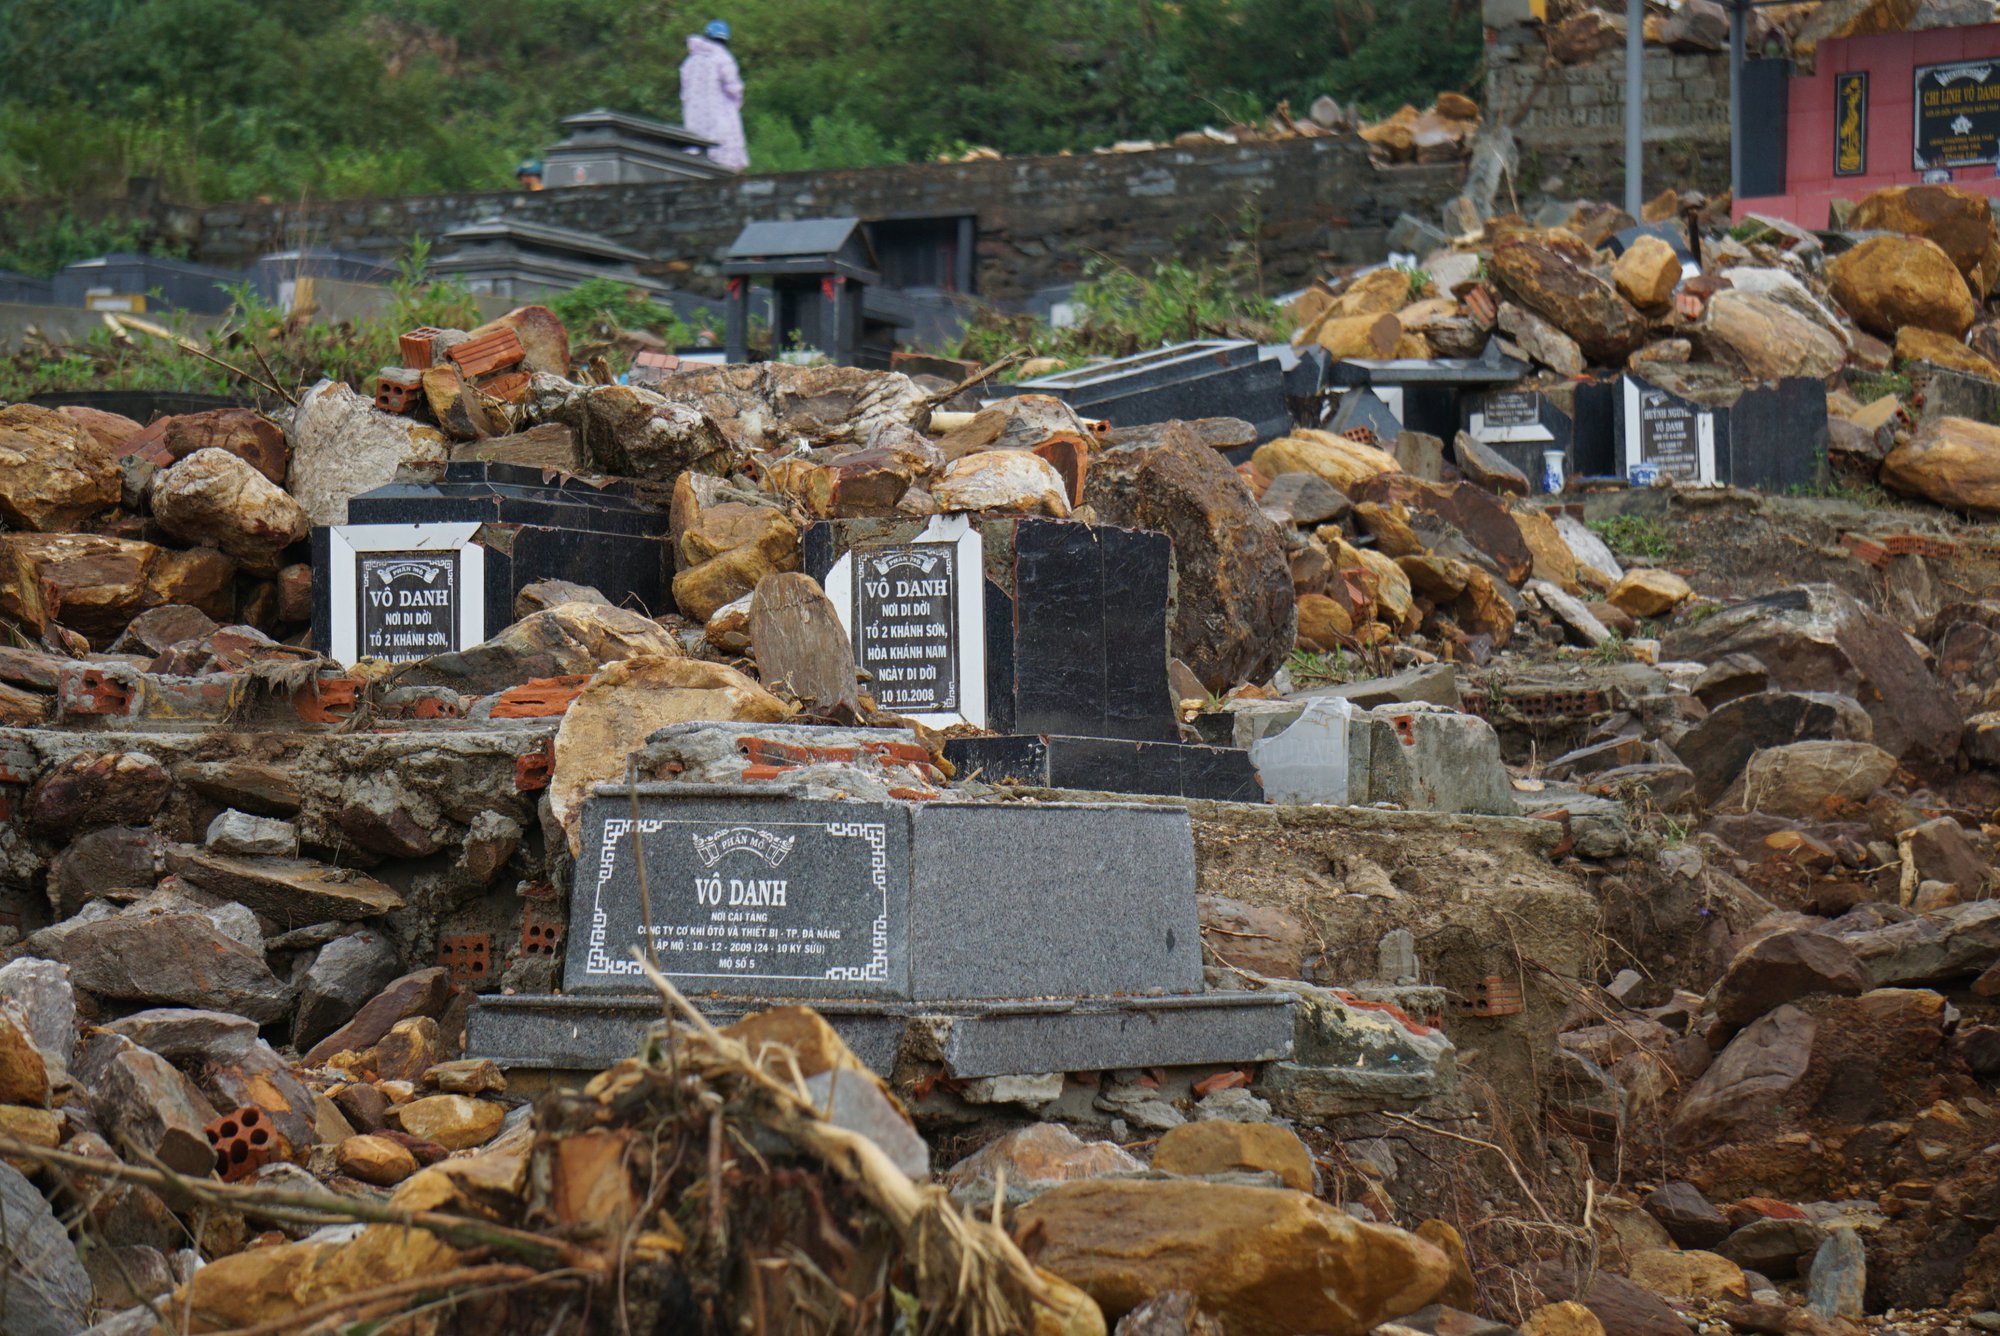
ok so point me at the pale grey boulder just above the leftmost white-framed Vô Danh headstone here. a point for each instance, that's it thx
(343, 447)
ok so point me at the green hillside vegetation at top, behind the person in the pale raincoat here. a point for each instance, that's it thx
(293, 99)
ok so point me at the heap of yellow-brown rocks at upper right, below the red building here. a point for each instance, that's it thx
(1891, 317)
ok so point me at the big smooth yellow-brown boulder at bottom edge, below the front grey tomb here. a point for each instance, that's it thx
(1261, 1261)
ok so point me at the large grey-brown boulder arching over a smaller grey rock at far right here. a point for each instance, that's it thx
(1817, 639)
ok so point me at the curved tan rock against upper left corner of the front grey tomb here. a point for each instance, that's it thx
(629, 701)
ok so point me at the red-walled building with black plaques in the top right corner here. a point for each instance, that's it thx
(1893, 109)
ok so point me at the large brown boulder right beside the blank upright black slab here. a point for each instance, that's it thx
(1237, 617)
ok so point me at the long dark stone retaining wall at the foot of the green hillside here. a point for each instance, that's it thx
(1311, 203)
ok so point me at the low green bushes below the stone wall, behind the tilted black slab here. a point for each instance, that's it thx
(1123, 311)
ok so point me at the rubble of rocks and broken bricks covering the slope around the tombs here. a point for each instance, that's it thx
(1729, 1039)
